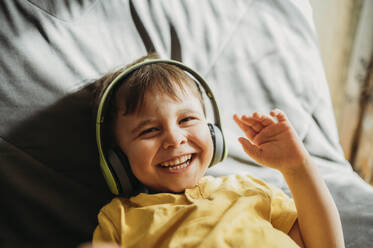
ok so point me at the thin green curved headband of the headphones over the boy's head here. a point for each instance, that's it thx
(105, 99)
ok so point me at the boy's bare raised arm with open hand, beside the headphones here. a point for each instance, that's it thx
(276, 145)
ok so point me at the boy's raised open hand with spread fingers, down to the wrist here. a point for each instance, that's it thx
(272, 143)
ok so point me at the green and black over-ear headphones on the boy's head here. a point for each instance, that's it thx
(114, 163)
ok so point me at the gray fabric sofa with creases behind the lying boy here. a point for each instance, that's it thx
(255, 54)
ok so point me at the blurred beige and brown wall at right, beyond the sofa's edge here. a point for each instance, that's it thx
(345, 31)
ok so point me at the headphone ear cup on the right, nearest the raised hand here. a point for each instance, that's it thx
(219, 144)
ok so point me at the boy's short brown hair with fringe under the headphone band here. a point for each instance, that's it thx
(161, 77)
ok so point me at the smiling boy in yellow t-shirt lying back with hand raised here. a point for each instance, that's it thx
(160, 126)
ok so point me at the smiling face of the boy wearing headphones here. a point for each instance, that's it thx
(167, 142)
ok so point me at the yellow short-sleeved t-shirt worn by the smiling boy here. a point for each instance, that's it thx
(229, 211)
